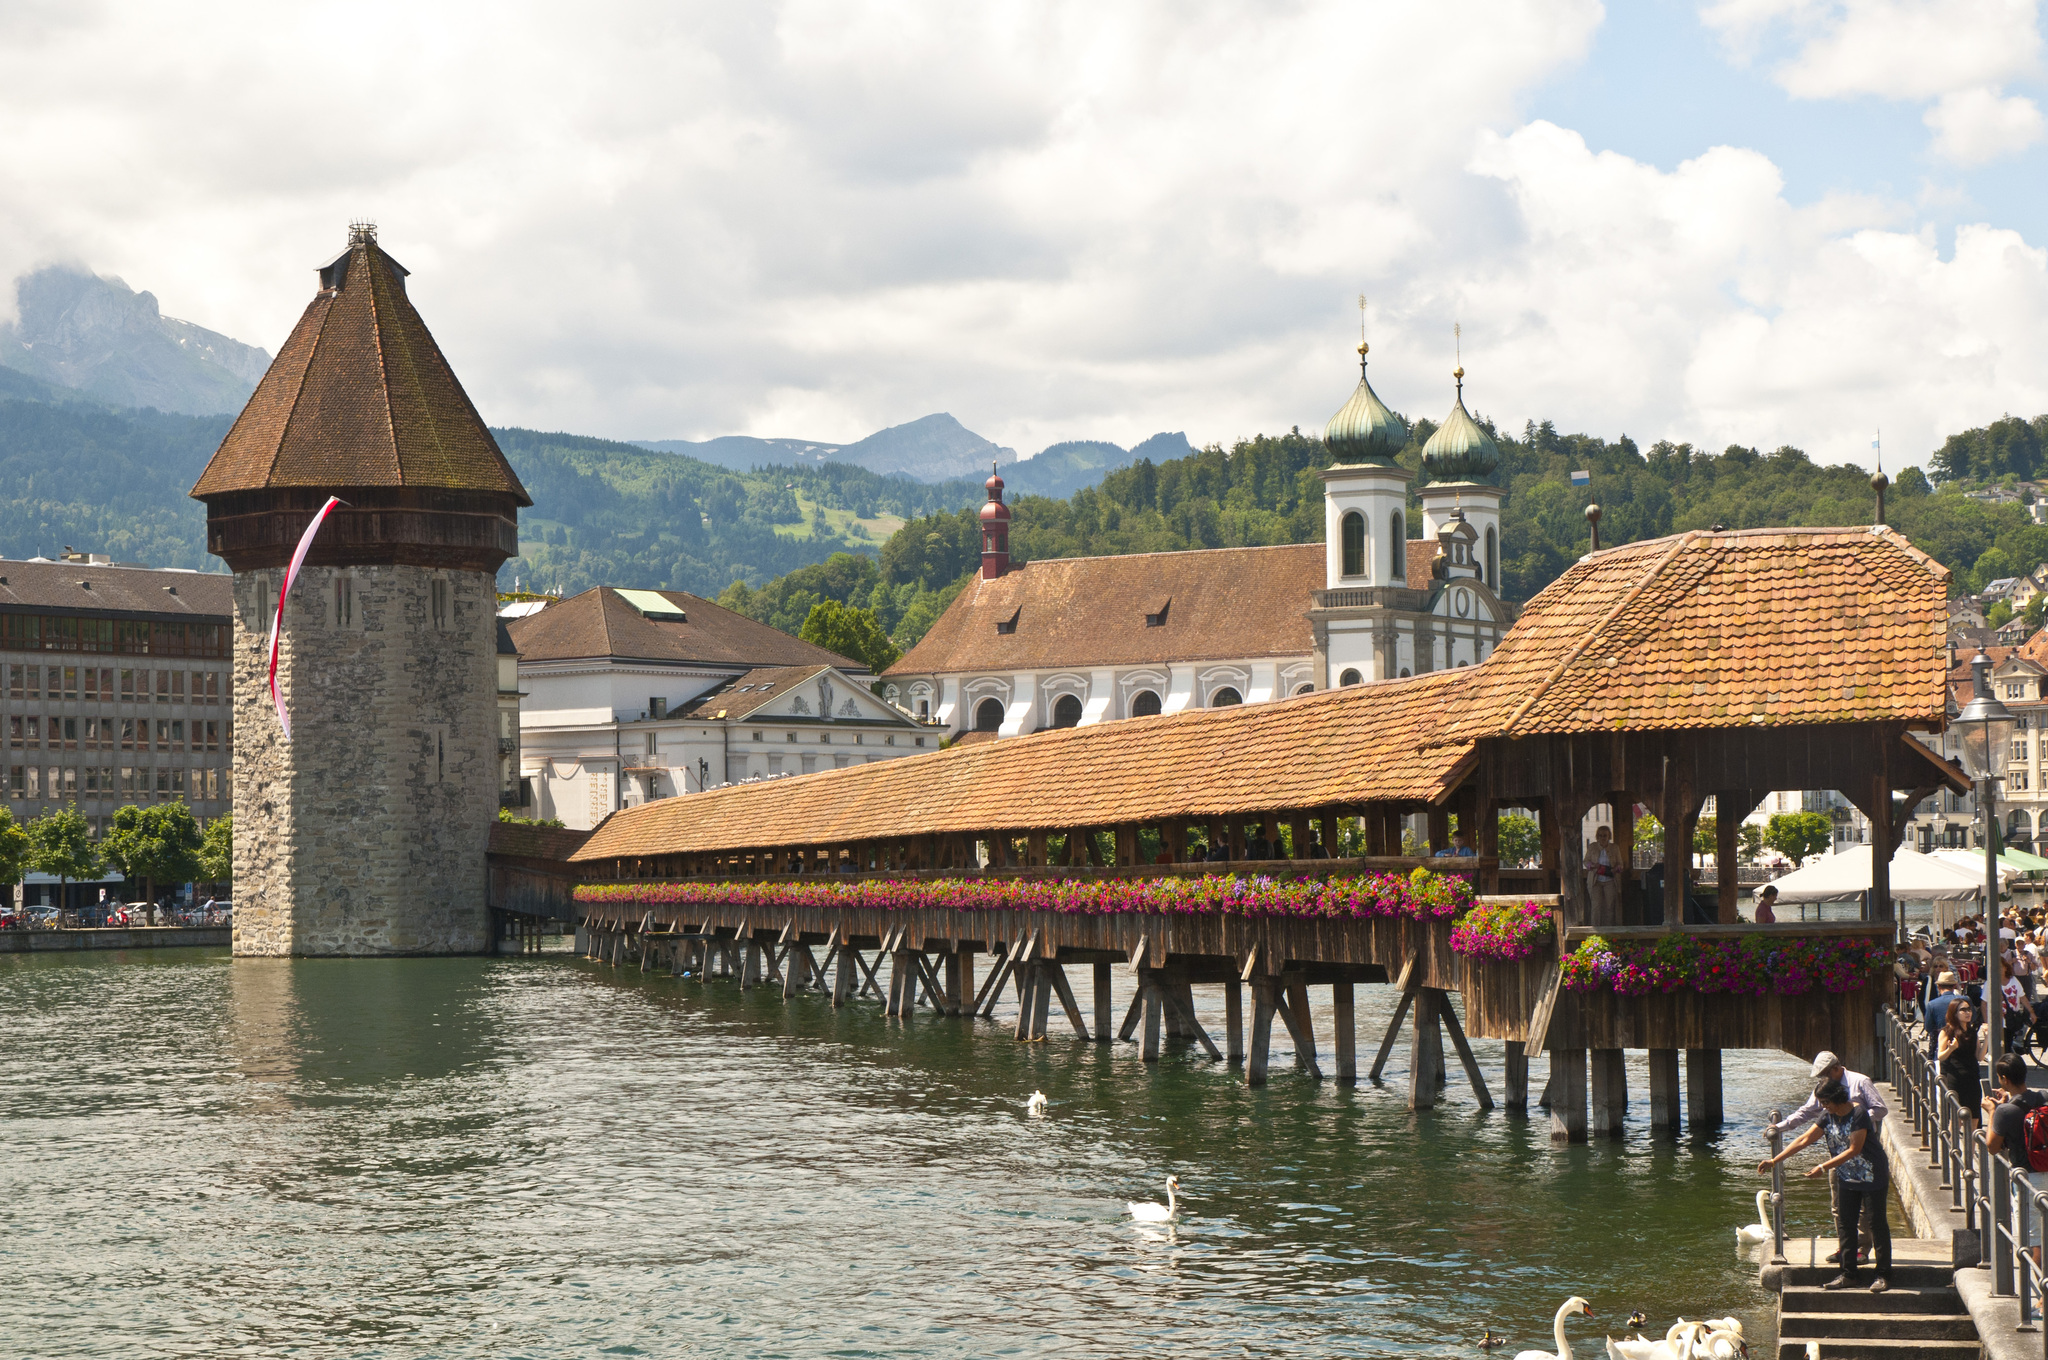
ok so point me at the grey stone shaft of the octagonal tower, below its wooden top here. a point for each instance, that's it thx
(366, 831)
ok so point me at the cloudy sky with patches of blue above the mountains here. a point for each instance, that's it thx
(1742, 220)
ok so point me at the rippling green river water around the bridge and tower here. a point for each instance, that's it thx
(554, 1158)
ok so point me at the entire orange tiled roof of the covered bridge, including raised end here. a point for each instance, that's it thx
(1705, 630)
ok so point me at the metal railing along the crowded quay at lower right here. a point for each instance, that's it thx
(2000, 1203)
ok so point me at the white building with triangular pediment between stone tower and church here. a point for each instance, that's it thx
(636, 695)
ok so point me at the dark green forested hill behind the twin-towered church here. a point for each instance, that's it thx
(1265, 491)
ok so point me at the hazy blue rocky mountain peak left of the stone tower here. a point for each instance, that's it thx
(97, 335)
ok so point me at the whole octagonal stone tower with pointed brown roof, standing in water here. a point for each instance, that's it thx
(366, 831)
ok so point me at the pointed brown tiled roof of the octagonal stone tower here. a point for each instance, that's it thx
(359, 398)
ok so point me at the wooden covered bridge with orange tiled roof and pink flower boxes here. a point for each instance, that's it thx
(1660, 673)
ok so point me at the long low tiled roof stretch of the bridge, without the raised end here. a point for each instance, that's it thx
(1195, 765)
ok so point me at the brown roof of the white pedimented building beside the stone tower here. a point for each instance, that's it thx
(599, 624)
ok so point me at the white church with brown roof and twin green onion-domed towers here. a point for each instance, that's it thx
(1089, 640)
